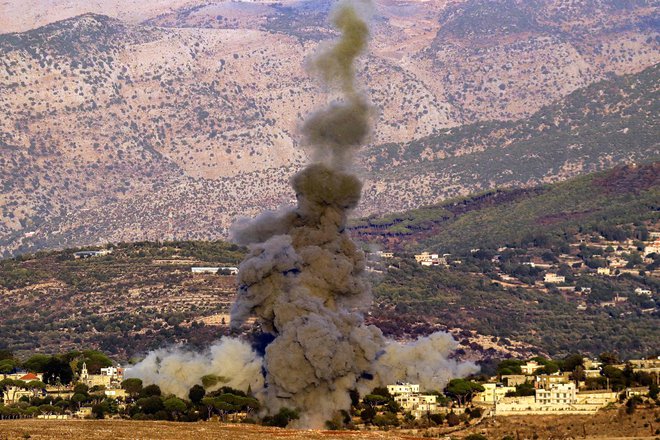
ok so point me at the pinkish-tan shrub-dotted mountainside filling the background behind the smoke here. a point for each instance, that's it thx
(171, 123)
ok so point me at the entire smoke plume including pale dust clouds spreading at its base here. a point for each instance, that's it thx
(304, 279)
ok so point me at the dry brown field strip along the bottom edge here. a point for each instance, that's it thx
(608, 424)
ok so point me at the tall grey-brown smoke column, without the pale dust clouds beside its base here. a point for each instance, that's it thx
(303, 277)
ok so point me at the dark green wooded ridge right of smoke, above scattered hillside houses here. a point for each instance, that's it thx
(627, 194)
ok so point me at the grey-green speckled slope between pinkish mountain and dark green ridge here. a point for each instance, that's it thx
(610, 122)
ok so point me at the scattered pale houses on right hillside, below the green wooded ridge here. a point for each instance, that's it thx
(591, 256)
